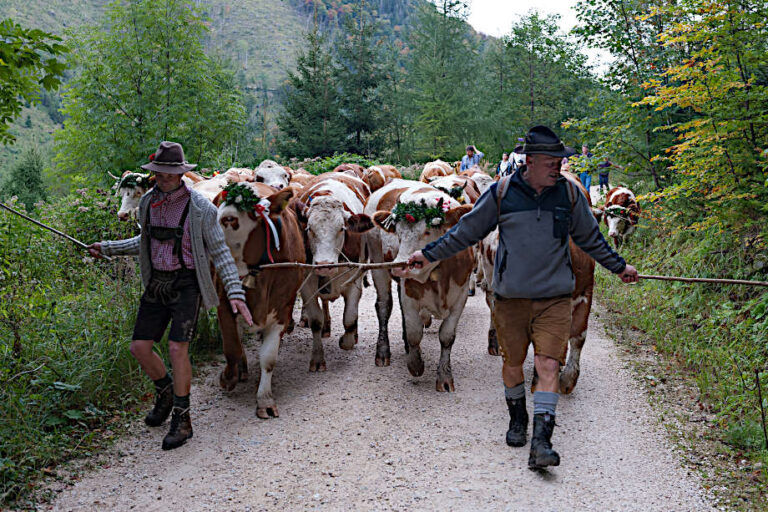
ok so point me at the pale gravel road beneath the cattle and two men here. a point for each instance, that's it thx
(358, 437)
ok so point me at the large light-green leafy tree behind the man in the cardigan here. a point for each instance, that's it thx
(144, 78)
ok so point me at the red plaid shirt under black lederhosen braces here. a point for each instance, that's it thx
(165, 211)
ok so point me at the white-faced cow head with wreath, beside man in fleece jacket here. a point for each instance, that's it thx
(417, 220)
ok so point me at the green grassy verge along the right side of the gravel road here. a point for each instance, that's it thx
(715, 336)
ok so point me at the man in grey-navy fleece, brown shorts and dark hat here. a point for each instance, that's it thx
(536, 211)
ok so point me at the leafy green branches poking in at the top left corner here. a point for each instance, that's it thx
(29, 61)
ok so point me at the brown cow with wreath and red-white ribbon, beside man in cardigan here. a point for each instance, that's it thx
(268, 232)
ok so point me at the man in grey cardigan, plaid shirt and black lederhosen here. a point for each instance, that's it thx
(180, 234)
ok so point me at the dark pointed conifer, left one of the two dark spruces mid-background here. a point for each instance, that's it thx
(311, 121)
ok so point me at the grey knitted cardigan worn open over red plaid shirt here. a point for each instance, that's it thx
(207, 243)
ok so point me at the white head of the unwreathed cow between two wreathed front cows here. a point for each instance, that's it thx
(327, 224)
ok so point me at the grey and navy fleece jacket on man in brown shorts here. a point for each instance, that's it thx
(533, 260)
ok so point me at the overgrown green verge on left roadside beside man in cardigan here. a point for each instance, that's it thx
(68, 383)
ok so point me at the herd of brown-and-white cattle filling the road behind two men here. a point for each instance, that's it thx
(347, 216)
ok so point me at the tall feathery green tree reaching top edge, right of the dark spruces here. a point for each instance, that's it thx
(442, 72)
